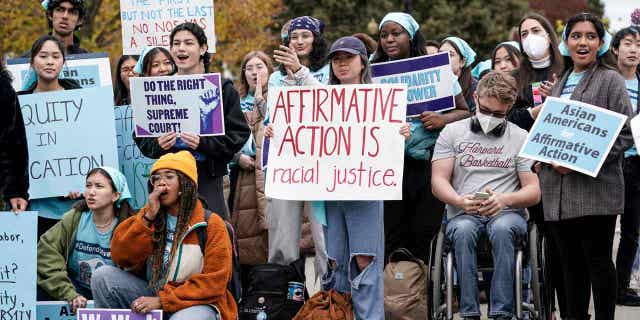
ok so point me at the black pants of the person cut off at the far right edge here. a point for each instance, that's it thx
(629, 222)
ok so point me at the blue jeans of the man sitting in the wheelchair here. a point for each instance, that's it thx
(503, 230)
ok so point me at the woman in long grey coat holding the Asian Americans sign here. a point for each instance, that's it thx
(581, 211)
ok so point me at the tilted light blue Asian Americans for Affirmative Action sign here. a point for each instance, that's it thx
(573, 134)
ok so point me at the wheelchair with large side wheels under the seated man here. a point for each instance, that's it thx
(529, 250)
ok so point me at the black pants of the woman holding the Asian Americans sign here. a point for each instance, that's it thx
(585, 248)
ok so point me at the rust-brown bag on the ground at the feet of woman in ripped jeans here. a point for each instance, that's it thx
(329, 305)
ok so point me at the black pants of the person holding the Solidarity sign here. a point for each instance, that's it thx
(413, 221)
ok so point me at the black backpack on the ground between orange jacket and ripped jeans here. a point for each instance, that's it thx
(267, 291)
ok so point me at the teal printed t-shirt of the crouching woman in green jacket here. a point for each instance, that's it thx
(91, 250)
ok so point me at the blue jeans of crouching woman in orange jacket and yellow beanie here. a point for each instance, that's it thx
(117, 289)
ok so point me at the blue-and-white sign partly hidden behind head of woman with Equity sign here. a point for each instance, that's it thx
(90, 70)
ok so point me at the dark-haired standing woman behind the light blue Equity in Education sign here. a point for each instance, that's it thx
(47, 59)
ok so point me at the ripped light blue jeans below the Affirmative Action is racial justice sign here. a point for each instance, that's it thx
(356, 228)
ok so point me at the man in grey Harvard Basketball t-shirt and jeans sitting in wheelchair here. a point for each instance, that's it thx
(476, 171)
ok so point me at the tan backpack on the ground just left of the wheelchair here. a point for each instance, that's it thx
(405, 287)
